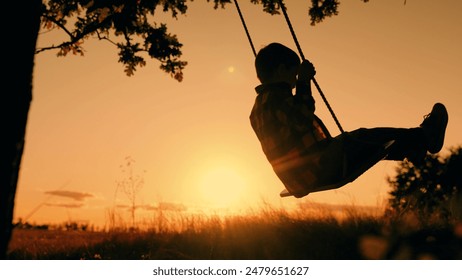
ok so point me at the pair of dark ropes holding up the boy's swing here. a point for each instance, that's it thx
(286, 16)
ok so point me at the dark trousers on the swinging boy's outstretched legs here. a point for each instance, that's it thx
(358, 150)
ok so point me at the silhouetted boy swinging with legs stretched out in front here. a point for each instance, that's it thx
(303, 154)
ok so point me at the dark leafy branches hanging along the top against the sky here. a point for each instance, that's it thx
(130, 26)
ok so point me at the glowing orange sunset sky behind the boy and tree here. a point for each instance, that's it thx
(380, 64)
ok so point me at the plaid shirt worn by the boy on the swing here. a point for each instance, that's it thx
(287, 127)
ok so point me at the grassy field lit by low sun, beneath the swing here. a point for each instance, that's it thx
(268, 234)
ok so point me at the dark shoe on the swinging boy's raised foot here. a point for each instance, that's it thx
(434, 127)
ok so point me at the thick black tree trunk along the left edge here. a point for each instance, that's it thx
(19, 42)
